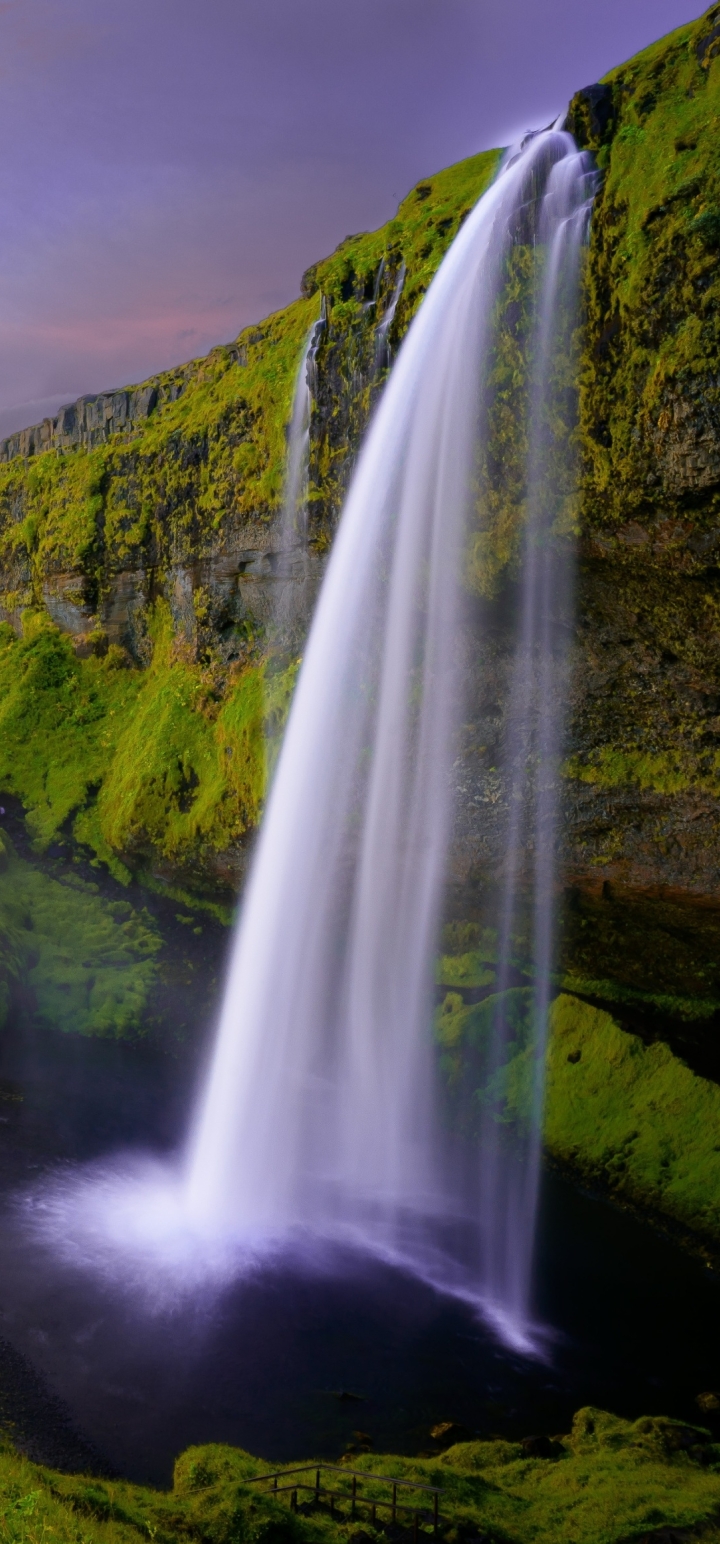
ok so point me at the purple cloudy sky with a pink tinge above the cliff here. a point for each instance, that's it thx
(169, 168)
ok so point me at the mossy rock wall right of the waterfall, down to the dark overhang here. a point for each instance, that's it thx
(644, 794)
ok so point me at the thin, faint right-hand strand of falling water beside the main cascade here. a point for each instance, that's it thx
(534, 742)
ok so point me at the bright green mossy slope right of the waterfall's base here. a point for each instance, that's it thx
(623, 1114)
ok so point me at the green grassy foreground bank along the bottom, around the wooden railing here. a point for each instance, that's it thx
(613, 1481)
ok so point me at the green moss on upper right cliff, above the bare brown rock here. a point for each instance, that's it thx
(654, 291)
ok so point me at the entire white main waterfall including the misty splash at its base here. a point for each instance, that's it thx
(322, 1120)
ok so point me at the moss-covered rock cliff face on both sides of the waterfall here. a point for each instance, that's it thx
(141, 563)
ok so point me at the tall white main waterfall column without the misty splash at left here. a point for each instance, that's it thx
(321, 1103)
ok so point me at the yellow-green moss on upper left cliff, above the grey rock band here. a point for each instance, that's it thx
(214, 450)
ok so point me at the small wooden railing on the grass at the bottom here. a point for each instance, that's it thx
(353, 1498)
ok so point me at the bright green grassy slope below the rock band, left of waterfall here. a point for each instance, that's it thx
(137, 760)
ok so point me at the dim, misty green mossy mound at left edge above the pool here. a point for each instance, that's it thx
(87, 964)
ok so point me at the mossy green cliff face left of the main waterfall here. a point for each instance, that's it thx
(138, 567)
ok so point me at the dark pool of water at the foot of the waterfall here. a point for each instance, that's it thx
(297, 1363)
